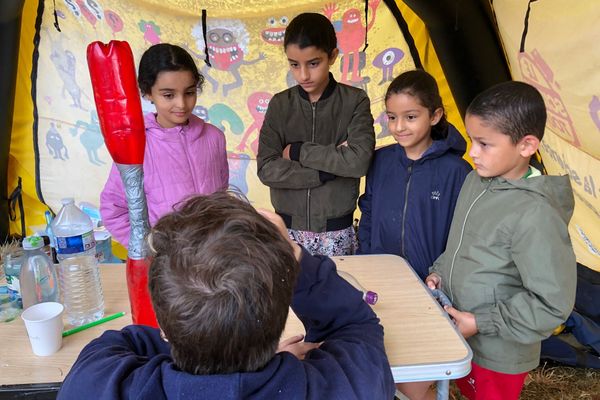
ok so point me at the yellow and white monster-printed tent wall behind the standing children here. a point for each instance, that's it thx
(77, 163)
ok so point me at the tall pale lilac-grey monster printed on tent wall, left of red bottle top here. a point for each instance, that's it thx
(66, 65)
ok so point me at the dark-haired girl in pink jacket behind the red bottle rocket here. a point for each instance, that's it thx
(183, 156)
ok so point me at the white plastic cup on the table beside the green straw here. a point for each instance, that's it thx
(44, 326)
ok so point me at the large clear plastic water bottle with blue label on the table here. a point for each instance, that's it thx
(78, 273)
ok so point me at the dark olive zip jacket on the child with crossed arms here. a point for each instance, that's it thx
(336, 140)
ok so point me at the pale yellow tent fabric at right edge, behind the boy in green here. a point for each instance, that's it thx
(560, 57)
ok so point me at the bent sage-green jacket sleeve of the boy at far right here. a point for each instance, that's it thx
(542, 252)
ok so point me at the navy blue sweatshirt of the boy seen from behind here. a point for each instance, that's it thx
(350, 364)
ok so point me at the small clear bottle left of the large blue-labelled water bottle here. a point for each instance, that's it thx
(38, 276)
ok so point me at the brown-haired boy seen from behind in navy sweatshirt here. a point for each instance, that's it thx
(222, 280)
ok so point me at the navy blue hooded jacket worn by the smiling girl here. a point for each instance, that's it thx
(408, 204)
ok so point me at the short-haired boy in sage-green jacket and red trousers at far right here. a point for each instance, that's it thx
(509, 267)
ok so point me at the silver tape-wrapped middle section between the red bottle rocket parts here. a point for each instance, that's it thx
(133, 182)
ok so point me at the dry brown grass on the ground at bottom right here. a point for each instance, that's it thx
(555, 382)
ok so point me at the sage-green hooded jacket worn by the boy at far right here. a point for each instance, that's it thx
(510, 262)
